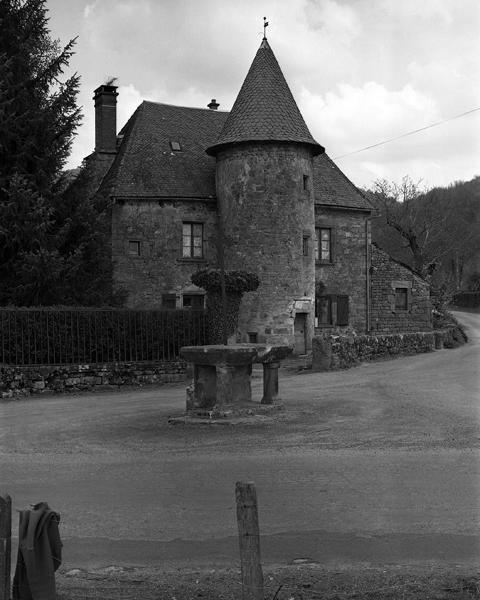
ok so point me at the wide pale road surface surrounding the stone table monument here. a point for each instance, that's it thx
(379, 463)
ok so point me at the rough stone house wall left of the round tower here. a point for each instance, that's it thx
(160, 267)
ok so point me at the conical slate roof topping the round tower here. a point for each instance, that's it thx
(265, 109)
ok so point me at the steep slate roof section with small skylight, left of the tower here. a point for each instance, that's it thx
(147, 166)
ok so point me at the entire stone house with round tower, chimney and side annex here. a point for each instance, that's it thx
(182, 180)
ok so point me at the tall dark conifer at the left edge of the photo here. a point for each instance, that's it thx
(38, 119)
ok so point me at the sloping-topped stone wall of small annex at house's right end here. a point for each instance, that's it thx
(386, 276)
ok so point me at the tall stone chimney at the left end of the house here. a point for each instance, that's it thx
(106, 118)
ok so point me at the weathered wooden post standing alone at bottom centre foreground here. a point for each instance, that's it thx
(249, 538)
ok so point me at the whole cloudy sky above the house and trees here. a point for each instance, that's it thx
(361, 71)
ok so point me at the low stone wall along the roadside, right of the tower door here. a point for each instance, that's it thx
(341, 352)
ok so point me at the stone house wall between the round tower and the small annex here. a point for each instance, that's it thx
(347, 274)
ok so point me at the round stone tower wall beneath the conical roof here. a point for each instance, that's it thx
(265, 192)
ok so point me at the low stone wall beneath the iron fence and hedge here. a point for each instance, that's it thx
(16, 381)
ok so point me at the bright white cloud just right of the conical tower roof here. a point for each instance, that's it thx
(352, 118)
